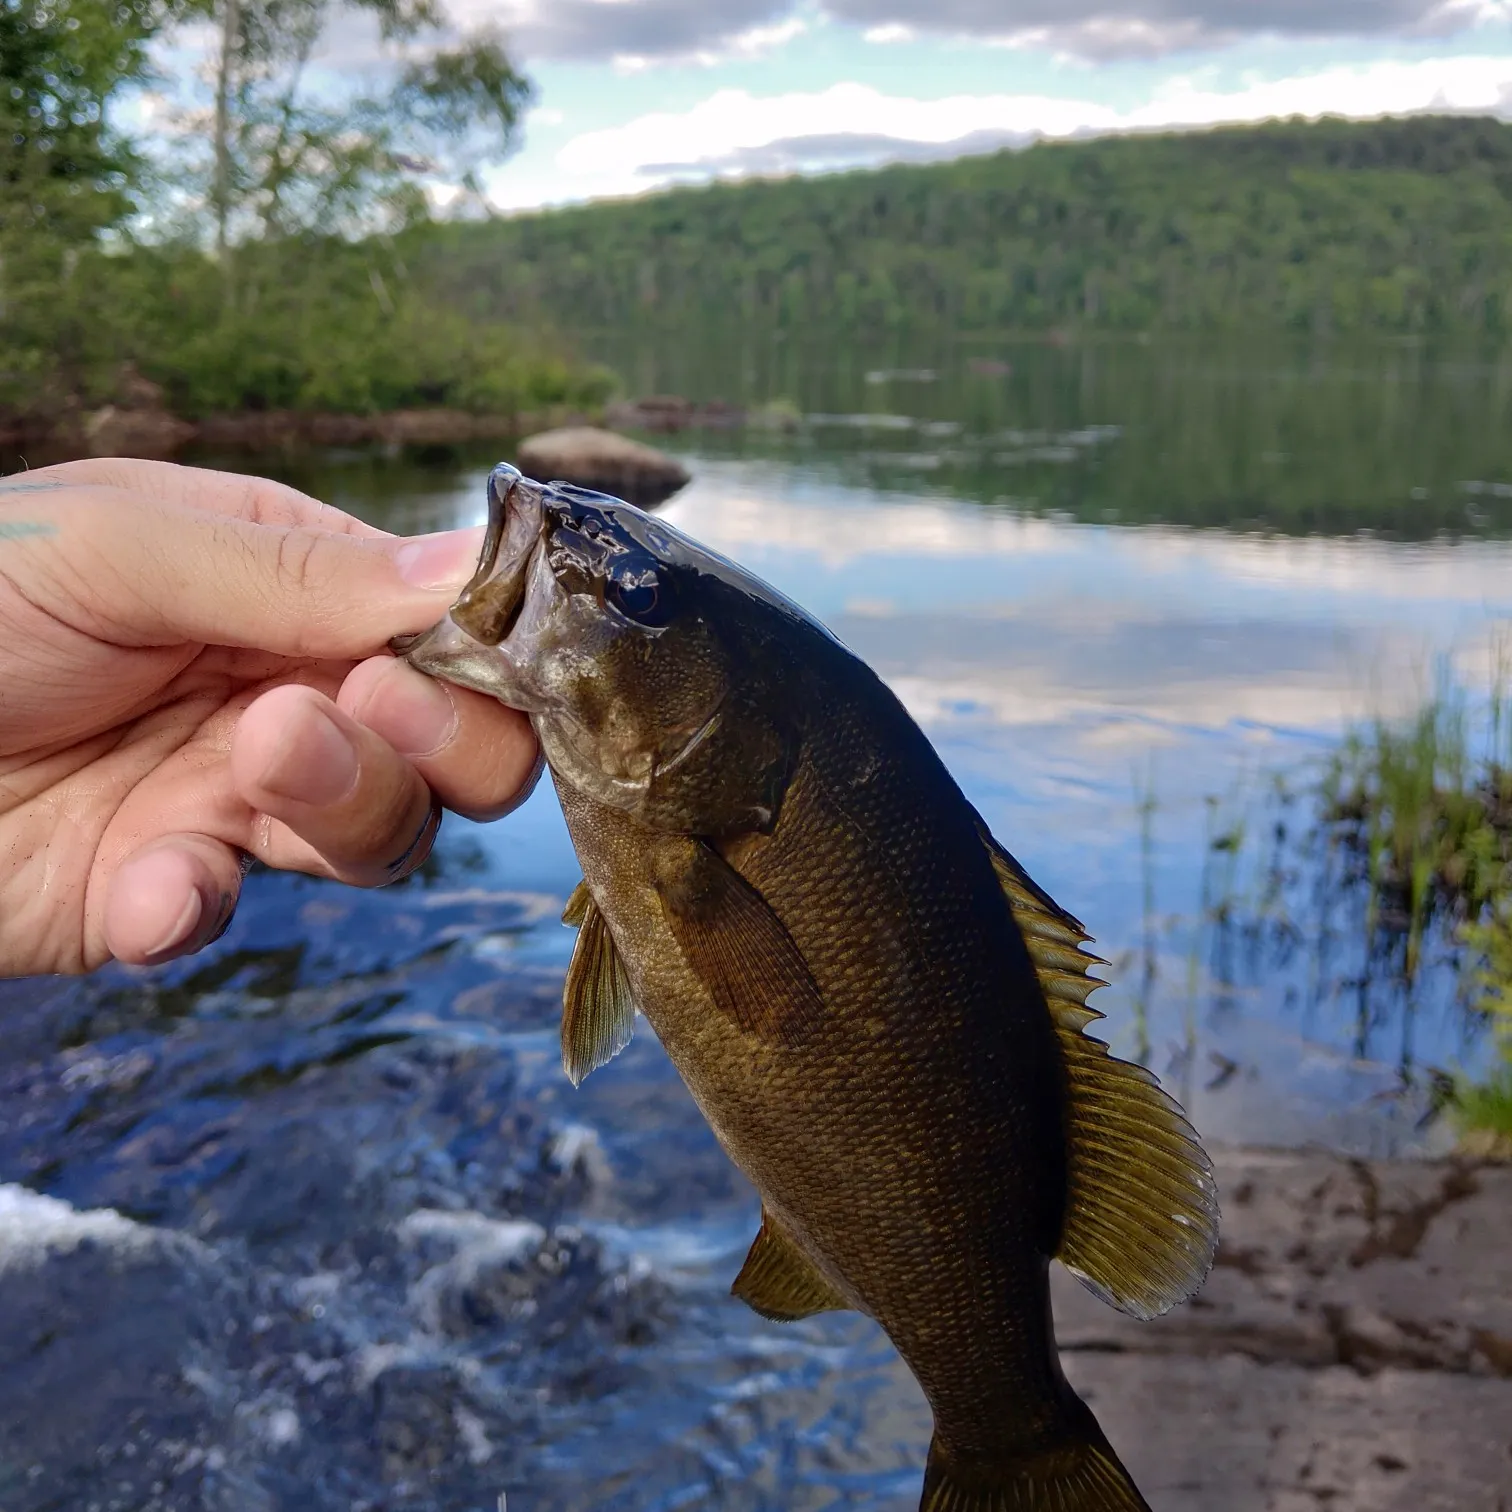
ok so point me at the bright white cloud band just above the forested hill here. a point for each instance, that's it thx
(737, 131)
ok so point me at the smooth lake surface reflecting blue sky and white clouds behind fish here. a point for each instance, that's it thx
(1070, 671)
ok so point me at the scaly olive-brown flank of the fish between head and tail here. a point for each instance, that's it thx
(911, 950)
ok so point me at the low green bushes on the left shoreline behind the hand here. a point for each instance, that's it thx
(317, 324)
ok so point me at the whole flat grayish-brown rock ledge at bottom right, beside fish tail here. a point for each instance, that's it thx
(1351, 1352)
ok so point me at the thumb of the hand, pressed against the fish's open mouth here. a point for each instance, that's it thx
(141, 572)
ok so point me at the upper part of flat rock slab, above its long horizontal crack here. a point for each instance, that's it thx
(1331, 1262)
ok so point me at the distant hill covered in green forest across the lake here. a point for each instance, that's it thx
(1399, 226)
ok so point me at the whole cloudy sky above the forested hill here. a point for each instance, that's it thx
(639, 94)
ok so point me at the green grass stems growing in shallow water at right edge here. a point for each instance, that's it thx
(1380, 879)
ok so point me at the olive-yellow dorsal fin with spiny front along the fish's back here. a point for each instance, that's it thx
(1142, 1210)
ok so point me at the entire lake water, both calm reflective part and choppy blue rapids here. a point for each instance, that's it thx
(1133, 593)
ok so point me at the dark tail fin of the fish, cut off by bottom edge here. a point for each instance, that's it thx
(1077, 1473)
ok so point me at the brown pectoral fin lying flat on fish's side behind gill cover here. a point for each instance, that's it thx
(737, 946)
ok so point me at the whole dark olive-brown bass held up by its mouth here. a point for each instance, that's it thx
(881, 1015)
